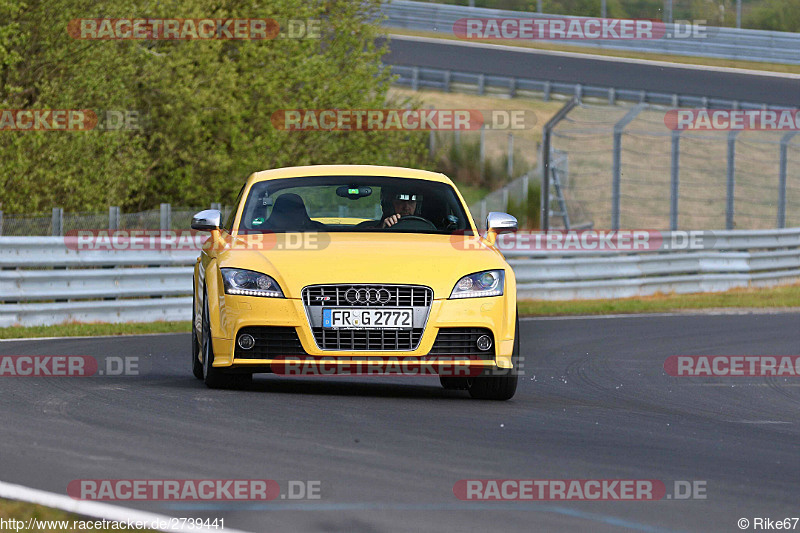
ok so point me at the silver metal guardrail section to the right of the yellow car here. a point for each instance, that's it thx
(772, 258)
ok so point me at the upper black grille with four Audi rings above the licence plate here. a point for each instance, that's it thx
(398, 295)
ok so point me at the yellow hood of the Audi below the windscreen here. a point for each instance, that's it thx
(437, 261)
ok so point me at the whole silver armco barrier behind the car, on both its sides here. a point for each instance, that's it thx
(43, 282)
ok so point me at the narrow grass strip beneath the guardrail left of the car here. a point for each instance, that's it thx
(94, 330)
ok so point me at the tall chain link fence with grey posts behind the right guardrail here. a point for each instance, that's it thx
(626, 169)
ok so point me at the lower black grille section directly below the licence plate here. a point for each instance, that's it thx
(368, 339)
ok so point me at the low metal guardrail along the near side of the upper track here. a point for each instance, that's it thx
(454, 81)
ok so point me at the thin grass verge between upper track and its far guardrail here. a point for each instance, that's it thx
(689, 60)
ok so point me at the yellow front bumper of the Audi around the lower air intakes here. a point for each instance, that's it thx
(236, 312)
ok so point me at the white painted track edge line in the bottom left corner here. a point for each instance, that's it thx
(91, 508)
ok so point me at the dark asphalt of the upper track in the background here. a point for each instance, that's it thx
(604, 72)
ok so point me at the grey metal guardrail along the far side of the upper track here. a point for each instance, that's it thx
(727, 43)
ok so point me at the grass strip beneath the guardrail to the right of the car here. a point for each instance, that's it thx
(776, 297)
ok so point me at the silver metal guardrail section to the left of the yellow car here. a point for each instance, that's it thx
(43, 281)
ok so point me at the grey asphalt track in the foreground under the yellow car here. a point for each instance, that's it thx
(595, 404)
